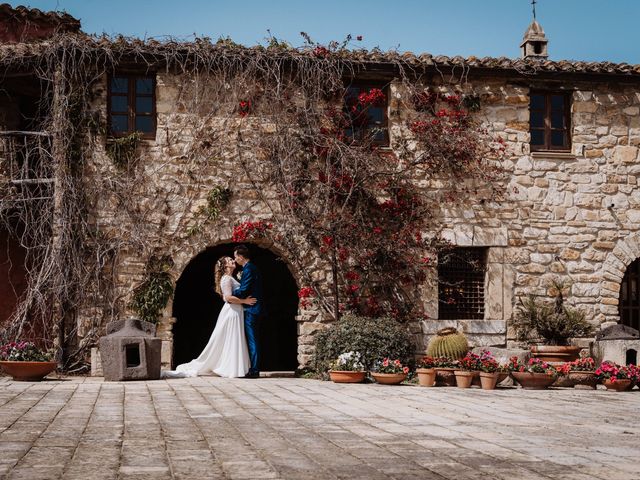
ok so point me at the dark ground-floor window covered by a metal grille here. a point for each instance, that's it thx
(461, 273)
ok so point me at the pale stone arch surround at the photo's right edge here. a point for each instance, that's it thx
(614, 267)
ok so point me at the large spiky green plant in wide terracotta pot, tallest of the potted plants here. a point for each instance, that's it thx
(551, 325)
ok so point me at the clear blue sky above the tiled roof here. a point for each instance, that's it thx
(590, 30)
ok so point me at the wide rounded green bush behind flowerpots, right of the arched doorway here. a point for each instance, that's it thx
(373, 338)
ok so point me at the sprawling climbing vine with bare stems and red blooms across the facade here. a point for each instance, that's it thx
(371, 215)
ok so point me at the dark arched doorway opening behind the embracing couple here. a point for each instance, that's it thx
(196, 307)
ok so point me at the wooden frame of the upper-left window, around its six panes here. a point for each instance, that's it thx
(131, 104)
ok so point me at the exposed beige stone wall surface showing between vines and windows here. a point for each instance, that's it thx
(571, 215)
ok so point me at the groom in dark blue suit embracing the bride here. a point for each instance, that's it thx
(250, 285)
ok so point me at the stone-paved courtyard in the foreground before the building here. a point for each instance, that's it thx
(286, 428)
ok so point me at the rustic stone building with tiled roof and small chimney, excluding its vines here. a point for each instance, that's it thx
(572, 206)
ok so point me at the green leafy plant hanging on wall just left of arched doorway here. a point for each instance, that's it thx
(152, 295)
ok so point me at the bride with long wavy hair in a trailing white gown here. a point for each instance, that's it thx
(226, 354)
